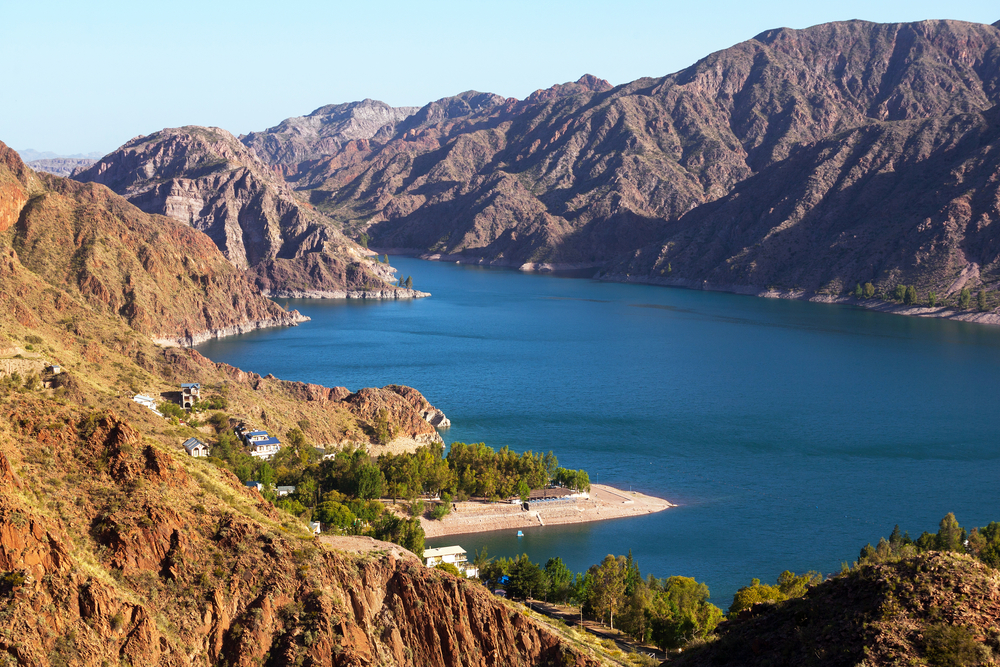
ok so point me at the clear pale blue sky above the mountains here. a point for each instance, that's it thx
(83, 77)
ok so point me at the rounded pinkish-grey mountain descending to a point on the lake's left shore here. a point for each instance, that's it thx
(207, 179)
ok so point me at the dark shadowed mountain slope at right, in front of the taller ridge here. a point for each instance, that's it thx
(909, 202)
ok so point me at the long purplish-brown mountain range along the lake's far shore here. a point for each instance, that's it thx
(804, 161)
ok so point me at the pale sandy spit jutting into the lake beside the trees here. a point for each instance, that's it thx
(605, 502)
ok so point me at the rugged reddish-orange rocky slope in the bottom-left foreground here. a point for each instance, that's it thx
(147, 563)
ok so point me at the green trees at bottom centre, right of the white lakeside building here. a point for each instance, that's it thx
(668, 612)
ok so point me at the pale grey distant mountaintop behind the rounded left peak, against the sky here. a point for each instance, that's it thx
(325, 130)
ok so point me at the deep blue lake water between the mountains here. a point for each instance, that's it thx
(789, 433)
